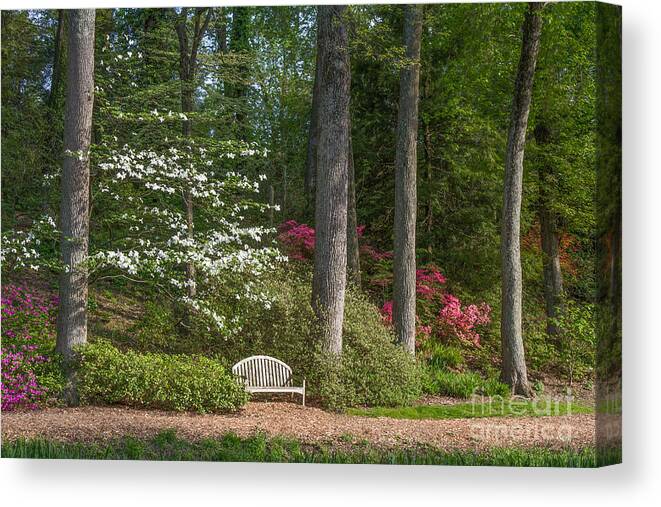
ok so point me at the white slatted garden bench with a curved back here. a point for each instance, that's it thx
(265, 374)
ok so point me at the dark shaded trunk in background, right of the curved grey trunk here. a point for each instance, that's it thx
(550, 237)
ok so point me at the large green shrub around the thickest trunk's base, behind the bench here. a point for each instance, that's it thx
(373, 370)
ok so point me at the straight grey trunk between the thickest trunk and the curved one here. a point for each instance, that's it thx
(405, 183)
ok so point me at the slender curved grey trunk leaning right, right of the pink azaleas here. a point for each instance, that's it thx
(514, 372)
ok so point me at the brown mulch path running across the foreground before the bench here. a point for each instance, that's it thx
(310, 425)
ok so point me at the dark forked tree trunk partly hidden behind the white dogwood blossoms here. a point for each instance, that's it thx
(188, 49)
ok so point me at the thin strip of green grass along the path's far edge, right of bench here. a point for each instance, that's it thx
(497, 408)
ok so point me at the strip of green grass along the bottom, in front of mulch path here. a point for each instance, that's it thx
(167, 446)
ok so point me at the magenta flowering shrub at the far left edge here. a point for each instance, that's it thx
(27, 329)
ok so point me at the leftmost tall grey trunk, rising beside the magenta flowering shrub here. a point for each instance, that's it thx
(74, 208)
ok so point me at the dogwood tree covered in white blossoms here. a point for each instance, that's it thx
(143, 191)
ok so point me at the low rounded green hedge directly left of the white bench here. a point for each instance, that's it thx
(171, 382)
